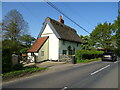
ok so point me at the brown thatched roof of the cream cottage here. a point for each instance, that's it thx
(65, 32)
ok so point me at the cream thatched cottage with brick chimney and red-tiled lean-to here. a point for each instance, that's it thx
(54, 39)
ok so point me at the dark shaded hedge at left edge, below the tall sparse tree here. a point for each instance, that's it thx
(8, 48)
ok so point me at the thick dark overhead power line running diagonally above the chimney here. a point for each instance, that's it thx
(56, 8)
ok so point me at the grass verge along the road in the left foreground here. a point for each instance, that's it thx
(21, 72)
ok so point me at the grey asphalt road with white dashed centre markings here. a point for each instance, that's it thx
(93, 75)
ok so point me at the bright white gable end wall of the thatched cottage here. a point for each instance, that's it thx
(53, 43)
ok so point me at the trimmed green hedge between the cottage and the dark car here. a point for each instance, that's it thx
(87, 54)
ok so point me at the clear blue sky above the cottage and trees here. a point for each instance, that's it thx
(86, 14)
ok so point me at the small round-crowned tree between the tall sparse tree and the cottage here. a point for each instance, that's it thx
(27, 39)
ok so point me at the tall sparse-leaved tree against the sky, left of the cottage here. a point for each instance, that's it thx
(14, 25)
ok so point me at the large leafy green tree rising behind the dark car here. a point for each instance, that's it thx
(103, 36)
